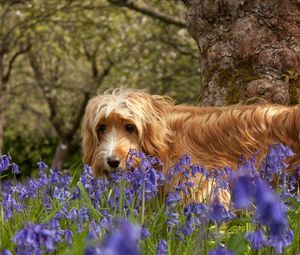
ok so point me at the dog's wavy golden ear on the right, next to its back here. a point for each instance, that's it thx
(156, 135)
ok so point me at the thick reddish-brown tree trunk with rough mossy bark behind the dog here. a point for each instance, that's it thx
(248, 49)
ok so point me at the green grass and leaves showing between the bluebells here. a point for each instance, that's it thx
(152, 215)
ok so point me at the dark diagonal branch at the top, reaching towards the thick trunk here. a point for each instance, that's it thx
(149, 12)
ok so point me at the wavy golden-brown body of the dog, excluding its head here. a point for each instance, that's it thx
(218, 136)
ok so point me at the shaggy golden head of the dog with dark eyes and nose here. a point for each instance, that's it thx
(118, 121)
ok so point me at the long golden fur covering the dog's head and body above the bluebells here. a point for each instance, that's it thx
(213, 136)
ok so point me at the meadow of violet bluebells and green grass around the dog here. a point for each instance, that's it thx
(128, 213)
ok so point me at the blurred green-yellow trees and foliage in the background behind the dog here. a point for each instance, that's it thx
(60, 53)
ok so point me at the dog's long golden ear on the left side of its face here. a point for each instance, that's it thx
(89, 141)
